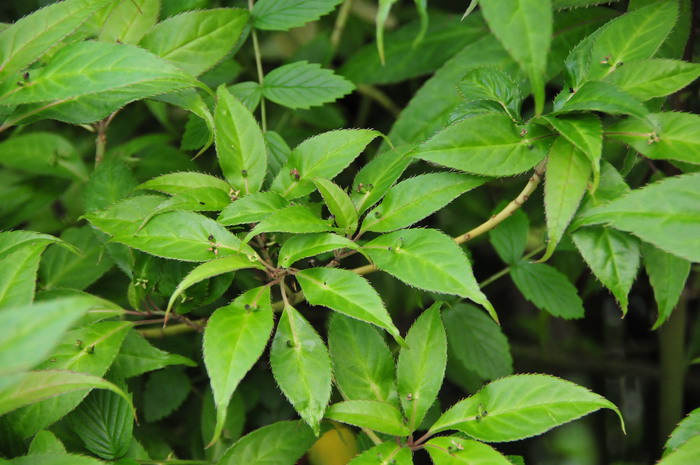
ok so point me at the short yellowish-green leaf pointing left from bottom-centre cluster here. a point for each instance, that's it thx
(377, 416)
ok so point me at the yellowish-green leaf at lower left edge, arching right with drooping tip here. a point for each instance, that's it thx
(36, 386)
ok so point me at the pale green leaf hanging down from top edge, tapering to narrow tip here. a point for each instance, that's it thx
(524, 27)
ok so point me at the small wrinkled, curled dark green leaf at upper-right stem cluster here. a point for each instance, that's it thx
(494, 85)
